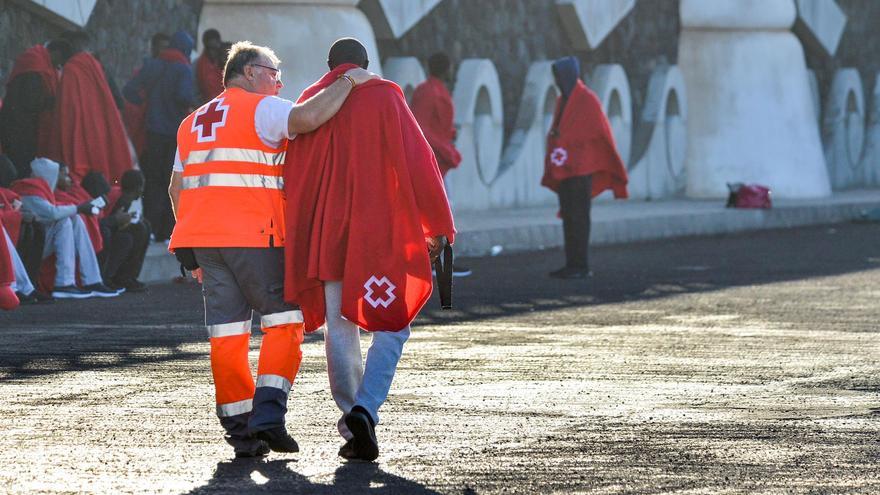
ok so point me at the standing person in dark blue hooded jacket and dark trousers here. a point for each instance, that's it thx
(169, 84)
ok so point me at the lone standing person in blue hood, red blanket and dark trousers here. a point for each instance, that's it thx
(581, 162)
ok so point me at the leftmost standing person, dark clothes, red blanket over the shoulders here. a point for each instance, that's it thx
(27, 118)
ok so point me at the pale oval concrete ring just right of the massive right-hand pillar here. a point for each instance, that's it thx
(843, 129)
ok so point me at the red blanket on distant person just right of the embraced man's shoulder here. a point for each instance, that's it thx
(433, 109)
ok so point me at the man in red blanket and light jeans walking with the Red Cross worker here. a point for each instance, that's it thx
(366, 212)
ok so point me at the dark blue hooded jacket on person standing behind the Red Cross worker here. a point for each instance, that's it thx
(169, 86)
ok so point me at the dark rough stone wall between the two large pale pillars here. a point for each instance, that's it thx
(514, 34)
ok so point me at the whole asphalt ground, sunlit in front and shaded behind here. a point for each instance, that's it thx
(730, 364)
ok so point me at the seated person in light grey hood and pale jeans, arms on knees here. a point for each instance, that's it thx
(66, 235)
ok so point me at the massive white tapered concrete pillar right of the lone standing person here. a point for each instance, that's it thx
(750, 108)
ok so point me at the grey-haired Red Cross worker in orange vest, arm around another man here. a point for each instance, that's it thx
(227, 193)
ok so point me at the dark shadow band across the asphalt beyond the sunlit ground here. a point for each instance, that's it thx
(159, 325)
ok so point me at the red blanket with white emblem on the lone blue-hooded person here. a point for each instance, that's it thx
(581, 143)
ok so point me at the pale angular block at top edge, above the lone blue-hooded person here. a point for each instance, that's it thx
(588, 22)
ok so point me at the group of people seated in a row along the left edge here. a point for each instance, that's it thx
(69, 240)
